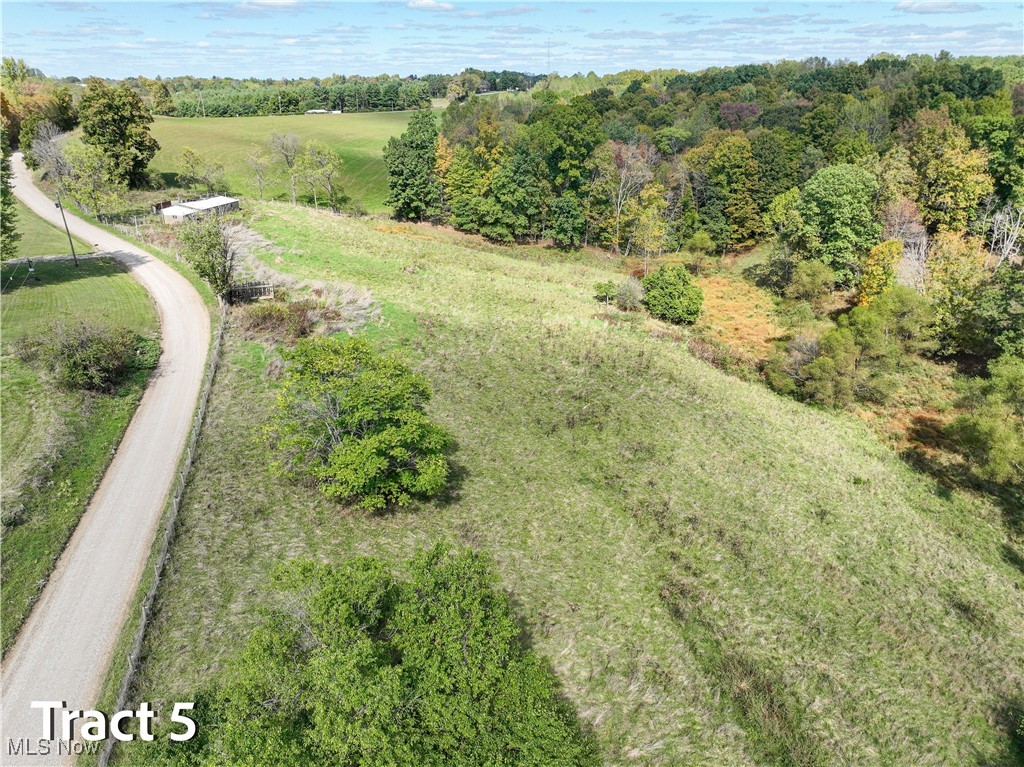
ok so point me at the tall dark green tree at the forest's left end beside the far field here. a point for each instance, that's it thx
(415, 189)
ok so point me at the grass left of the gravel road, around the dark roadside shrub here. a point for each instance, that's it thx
(57, 444)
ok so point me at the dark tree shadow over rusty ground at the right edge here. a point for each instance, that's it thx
(931, 454)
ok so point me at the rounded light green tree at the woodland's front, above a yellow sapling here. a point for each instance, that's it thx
(837, 208)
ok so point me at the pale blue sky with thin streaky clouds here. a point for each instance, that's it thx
(298, 38)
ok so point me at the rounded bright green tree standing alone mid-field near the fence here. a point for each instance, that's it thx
(355, 423)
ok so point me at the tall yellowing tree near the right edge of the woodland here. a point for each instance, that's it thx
(953, 178)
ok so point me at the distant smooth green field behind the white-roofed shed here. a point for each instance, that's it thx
(358, 139)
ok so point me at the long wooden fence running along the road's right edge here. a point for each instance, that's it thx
(178, 491)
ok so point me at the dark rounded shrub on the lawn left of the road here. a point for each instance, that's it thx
(91, 357)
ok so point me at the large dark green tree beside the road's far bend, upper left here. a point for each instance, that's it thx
(116, 121)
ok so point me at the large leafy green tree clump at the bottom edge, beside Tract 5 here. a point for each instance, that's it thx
(360, 668)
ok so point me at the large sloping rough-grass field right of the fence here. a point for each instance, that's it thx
(719, 576)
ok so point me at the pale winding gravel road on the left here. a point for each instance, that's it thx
(65, 648)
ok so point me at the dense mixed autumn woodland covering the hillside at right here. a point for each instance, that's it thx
(886, 197)
